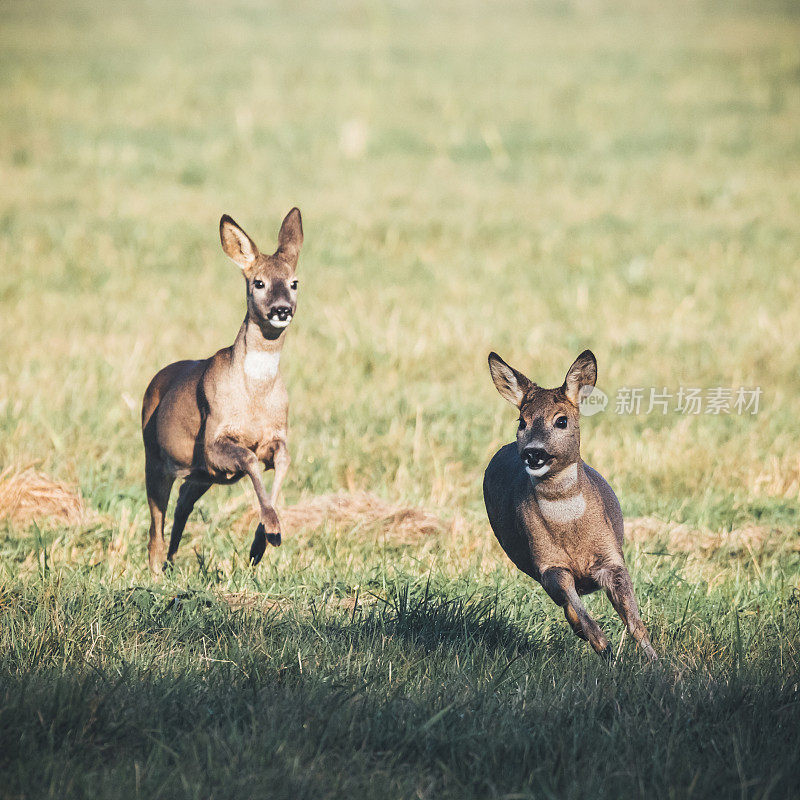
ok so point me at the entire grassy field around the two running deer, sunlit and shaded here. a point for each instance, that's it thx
(533, 178)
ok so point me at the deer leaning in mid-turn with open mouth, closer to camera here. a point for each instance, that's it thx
(555, 517)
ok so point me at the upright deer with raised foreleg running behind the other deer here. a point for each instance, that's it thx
(219, 419)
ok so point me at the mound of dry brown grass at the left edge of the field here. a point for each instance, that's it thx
(28, 496)
